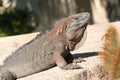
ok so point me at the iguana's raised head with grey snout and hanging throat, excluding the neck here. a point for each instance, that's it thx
(75, 28)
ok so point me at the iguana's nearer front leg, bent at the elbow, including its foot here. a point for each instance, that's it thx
(61, 62)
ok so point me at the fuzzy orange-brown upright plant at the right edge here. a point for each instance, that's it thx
(111, 53)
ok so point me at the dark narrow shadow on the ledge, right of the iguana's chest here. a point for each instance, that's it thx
(84, 55)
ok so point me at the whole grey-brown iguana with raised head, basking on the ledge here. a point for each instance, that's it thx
(48, 50)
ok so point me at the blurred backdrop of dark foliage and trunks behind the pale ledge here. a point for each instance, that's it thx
(27, 16)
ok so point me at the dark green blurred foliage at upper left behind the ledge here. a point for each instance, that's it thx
(15, 21)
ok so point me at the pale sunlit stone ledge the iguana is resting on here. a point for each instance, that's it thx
(92, 68)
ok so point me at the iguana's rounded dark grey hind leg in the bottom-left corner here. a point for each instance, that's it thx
(6, 74)
